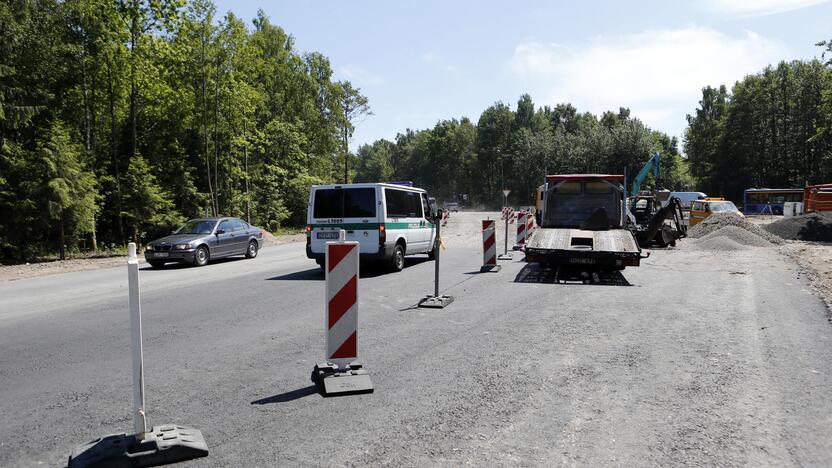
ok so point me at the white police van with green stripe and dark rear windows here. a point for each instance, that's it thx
(389, 220)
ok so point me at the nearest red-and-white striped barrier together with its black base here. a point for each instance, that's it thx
(341, 374)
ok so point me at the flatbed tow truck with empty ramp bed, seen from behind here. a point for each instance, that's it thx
(583, 225)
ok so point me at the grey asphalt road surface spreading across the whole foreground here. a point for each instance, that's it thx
(701, 359)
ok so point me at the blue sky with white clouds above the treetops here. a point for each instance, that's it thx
(420, 62)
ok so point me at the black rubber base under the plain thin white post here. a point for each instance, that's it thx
(162, 445)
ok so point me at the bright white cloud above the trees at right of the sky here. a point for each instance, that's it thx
(659, 75)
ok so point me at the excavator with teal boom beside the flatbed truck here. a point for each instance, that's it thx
(649, 212)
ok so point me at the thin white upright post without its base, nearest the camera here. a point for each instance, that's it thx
(139, 421)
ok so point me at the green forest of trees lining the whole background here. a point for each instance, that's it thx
(121, 118)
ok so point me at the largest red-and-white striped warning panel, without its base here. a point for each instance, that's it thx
(342, 302)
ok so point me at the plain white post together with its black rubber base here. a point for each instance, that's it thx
(161, 445)
